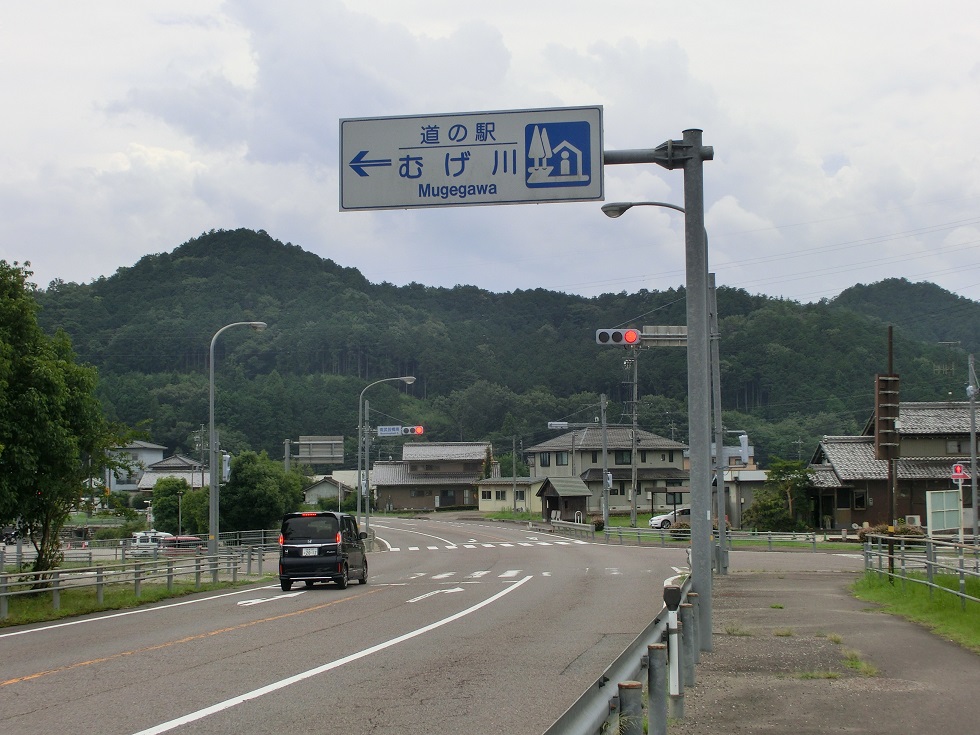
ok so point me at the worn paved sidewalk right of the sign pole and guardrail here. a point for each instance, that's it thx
(772, 627)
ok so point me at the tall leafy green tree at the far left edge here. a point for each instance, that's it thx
(53, 432)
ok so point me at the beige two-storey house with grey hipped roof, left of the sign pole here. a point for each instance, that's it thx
(662, 478)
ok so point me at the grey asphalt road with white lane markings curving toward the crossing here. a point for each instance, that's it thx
(463, 627)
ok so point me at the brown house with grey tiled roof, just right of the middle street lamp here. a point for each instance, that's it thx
(432, 475)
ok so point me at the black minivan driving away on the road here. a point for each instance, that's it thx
(321, 546)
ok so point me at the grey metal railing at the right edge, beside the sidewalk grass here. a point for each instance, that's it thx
(920, 560)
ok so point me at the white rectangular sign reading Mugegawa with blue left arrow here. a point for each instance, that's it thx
(470, 158)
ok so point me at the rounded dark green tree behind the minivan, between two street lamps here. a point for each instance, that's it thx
(258, 493)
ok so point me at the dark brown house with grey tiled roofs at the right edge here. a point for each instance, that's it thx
(851, 487)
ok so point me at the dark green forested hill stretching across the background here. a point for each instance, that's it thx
(488, 365)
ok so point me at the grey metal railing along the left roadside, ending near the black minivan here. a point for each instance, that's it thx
(135, 573)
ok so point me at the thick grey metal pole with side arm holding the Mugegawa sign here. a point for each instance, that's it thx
(690, 155)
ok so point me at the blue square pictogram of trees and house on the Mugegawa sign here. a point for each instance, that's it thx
(558, 154)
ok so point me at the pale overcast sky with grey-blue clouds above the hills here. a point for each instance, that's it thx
(846, 135)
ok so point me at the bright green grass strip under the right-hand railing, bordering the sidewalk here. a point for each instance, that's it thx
(943, 614)
